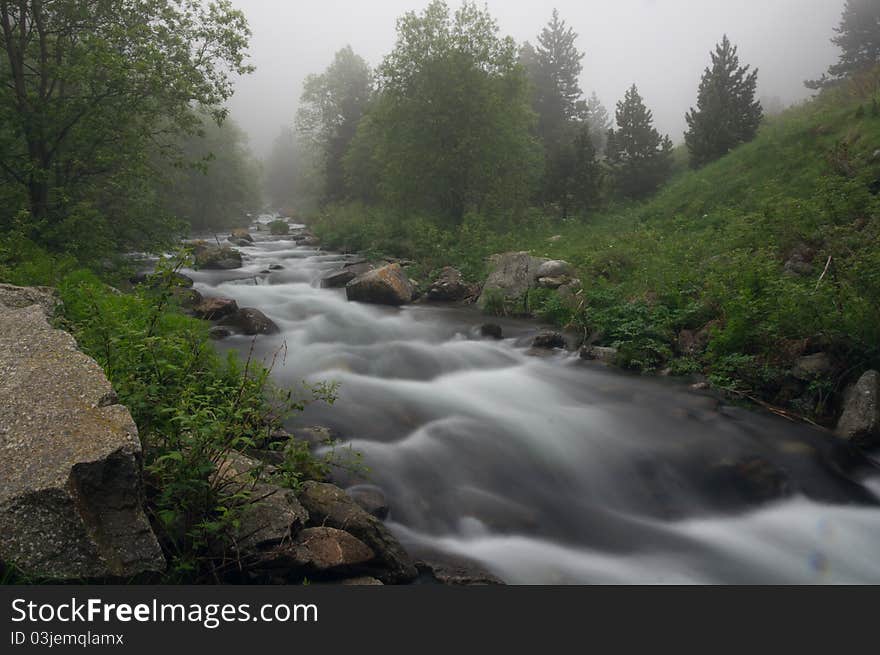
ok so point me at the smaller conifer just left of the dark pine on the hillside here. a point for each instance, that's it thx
(639, 157)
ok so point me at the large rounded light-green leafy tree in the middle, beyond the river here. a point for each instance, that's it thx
(450, 129)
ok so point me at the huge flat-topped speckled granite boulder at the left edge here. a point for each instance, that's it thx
(71, 491)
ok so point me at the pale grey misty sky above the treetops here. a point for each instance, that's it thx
(661, 45)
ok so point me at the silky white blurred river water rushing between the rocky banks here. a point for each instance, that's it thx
(549, 469)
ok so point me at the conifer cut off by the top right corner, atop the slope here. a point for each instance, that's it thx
(858, 36)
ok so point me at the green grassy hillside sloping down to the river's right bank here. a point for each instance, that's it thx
(708, 255)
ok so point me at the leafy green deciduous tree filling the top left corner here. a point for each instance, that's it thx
(88, 86)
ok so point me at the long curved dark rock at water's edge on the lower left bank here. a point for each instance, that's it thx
(330, 506)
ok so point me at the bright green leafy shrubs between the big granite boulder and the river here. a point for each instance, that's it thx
(194, 411)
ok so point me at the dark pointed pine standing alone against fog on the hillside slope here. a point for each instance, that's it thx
(727, 113)
